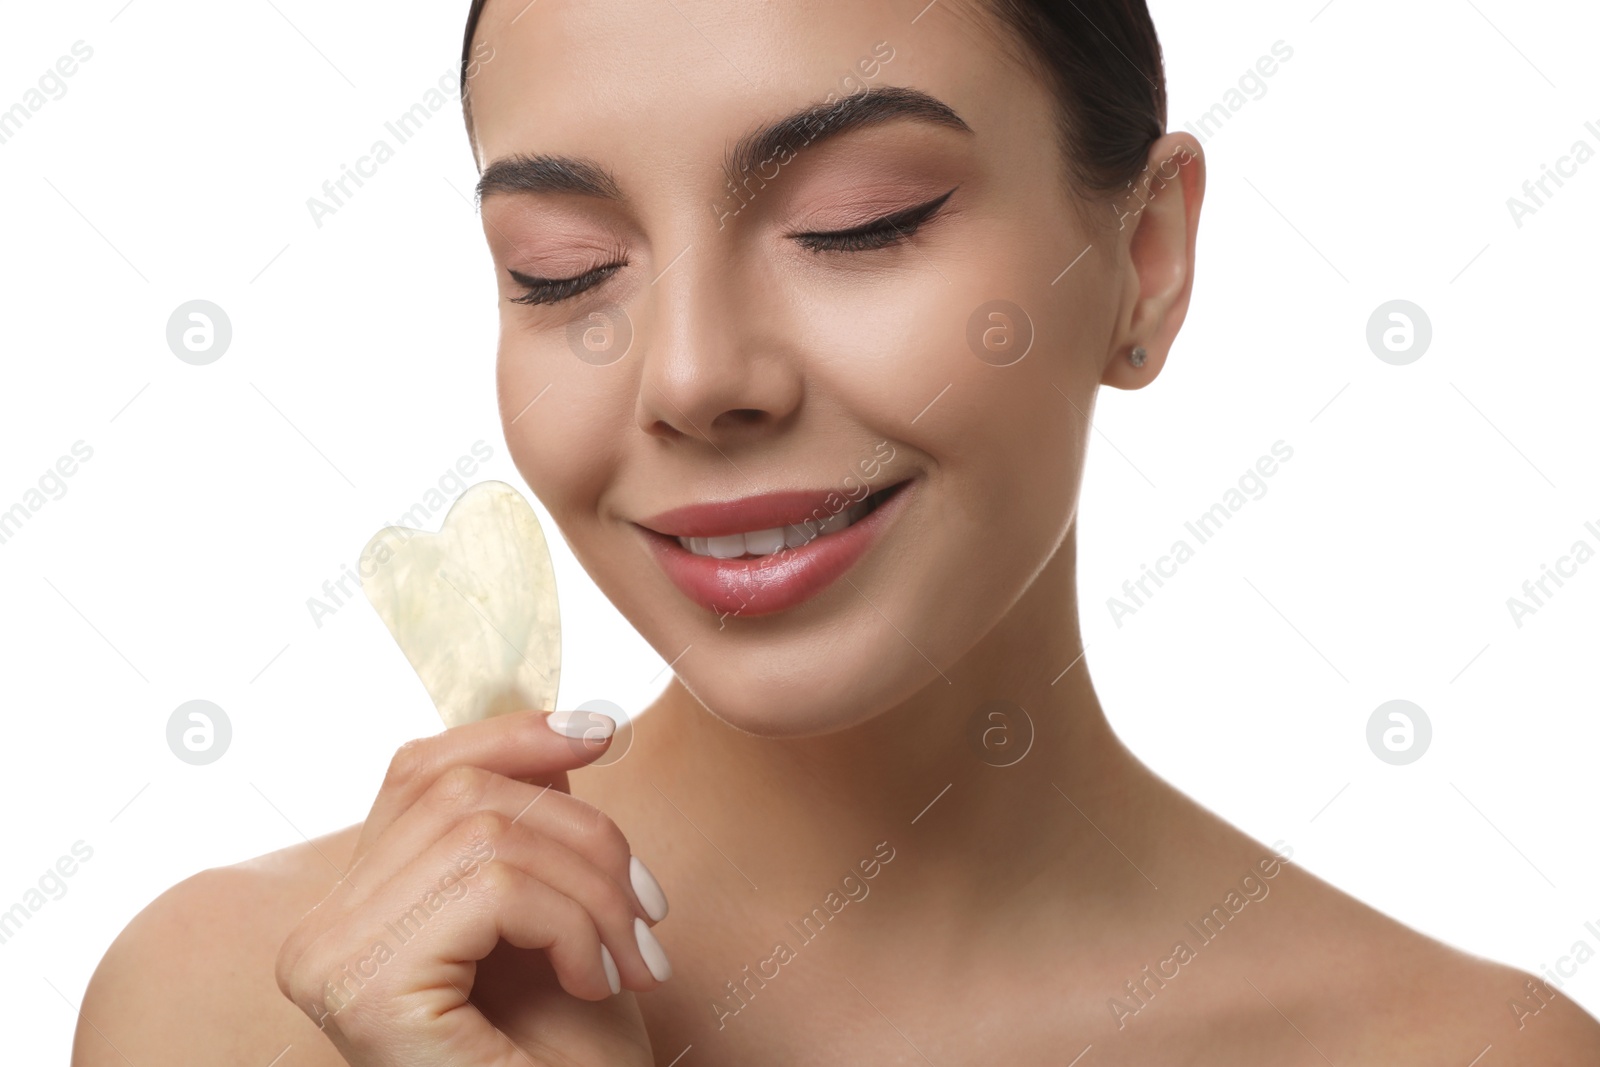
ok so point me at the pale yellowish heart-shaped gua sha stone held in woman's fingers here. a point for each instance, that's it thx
(474, 605)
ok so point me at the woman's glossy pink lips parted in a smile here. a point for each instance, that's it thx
(772, 583)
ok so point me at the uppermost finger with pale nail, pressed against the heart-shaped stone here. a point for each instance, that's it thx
(519, 745)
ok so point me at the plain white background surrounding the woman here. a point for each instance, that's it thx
(220, 498)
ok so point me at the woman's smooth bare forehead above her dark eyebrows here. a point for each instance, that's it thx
(654, 84)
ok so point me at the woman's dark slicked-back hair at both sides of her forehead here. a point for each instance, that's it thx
(1102, 58)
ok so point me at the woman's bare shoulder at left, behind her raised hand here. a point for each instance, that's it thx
(191, 978)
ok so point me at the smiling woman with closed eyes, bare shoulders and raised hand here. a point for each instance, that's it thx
(822, 295)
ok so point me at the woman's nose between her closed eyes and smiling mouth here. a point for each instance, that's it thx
(716, 364)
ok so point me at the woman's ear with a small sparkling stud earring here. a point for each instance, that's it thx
(1159, 215)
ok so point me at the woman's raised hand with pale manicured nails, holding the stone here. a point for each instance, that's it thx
(476, 908)
